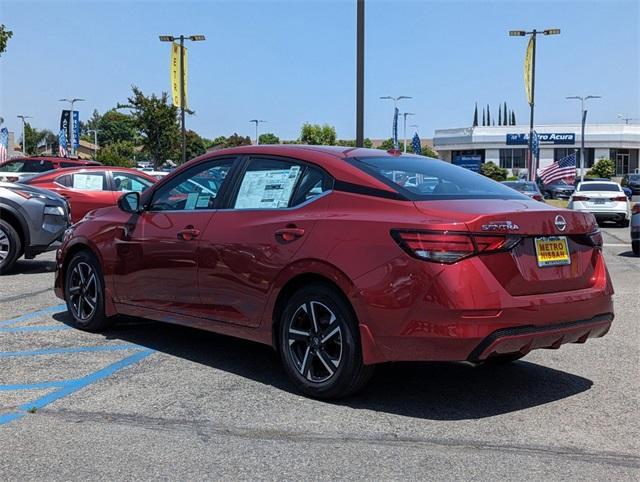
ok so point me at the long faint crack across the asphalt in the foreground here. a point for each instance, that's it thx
(206, 429)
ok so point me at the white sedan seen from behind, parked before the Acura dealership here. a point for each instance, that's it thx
(604, 199)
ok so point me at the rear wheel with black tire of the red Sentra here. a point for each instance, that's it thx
(323, 362)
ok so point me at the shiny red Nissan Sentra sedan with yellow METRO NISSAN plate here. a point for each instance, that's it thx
(341, 259)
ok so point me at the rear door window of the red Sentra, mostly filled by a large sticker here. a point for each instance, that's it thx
(267, 184)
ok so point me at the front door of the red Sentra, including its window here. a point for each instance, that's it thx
(156, 264)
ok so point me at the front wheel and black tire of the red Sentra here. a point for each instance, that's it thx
(84, 293)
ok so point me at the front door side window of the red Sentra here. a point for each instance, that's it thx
(195, 189)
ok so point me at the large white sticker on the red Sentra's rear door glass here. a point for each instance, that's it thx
(267, 189)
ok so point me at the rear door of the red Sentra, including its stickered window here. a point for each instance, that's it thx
(244, 248)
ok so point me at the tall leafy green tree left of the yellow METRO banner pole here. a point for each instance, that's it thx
(157, 121)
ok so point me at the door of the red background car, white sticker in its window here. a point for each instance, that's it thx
(85, 191)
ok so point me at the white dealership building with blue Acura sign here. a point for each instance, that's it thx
(507, 146)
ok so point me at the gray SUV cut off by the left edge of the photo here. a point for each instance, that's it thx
(30, 220)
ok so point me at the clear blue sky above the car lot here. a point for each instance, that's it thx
(294, 61)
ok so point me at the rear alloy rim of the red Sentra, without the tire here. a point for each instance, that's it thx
(315, 341)
